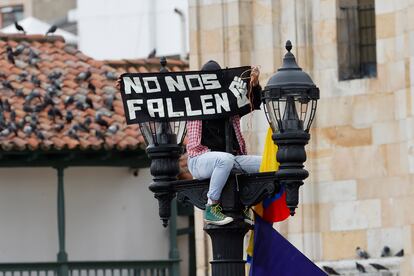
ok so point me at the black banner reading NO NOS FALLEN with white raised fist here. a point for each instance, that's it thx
(189, 95)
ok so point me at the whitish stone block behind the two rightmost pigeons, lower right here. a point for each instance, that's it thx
(380, 237)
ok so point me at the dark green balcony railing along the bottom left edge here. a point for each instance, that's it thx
(98, 268)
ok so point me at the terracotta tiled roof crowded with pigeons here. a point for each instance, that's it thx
(55, 97)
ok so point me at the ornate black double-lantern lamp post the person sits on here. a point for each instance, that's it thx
(286, 97)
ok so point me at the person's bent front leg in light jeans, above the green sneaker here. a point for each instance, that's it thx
(214, 165)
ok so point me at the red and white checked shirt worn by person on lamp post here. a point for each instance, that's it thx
(194, 135)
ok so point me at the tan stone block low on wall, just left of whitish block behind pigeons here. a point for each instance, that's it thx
(342, 245)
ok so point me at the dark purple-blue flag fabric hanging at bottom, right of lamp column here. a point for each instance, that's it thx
(274, 255)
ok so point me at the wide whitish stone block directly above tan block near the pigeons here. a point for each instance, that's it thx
(354, 215)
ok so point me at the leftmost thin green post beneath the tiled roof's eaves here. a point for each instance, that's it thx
(62, 256)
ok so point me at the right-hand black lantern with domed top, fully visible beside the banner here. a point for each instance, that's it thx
(290, 99)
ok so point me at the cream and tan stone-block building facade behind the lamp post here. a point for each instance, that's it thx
(360, 192)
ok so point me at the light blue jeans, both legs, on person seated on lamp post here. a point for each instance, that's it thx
(217, 166)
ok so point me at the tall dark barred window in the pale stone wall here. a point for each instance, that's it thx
(356, 39)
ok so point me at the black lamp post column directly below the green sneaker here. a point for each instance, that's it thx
(227, 242)
